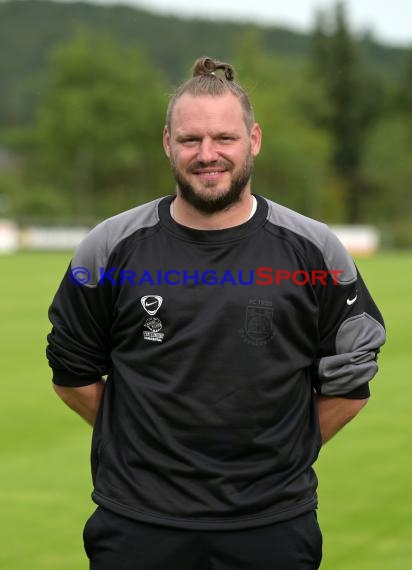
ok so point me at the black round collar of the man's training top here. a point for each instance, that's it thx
(256, 220)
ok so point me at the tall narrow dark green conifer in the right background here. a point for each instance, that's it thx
(352, 99)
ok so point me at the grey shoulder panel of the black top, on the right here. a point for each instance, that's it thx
(334, 253)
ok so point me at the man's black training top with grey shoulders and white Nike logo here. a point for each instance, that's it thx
(214, 344)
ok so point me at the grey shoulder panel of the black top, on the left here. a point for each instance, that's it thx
(94, 251)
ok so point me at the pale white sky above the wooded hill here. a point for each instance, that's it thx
(389, 20)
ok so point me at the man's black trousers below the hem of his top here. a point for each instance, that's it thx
(113, 542)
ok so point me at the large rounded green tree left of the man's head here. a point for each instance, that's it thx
(97, 136)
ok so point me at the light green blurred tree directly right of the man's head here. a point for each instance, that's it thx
(291, 166)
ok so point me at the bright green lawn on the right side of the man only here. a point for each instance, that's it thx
(365, 473)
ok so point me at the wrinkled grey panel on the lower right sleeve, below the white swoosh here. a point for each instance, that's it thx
(358, 341)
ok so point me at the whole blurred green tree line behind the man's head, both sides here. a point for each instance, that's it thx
(337, 131)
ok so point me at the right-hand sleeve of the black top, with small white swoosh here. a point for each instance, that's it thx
(351, 334)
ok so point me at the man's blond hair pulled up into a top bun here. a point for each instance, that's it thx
(213, 78)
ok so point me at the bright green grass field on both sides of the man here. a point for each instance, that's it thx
(365, 473)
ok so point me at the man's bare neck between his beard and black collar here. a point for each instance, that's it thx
(234, 215)
